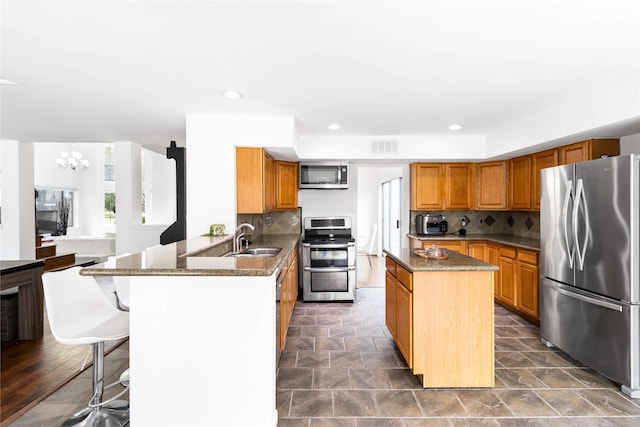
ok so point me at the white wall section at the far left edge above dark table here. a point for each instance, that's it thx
(17, 231)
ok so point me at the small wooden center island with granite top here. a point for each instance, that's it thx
(440, 314)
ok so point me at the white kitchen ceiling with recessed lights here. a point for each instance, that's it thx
(120, 70)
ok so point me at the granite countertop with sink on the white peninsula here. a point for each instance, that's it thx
(199, 256)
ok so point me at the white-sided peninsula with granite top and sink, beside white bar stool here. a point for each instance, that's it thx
(202, 332)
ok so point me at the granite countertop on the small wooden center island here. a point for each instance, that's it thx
(455, 262)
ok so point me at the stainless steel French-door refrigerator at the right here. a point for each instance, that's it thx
(589, 284)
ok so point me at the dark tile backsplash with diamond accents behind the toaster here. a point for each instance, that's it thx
(517, 223)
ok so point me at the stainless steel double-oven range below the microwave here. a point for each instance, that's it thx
(328, 260)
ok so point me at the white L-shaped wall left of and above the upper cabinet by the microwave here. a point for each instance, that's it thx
(210, 163)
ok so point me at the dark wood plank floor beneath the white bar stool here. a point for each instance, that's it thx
(32, 370)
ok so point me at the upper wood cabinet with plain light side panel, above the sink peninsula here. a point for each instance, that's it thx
(255, 181)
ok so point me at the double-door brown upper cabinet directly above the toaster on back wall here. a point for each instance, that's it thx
(441, 186)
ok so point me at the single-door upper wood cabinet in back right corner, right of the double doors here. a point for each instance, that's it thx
(492, 184)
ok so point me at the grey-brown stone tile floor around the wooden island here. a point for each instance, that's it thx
(340, 367)
